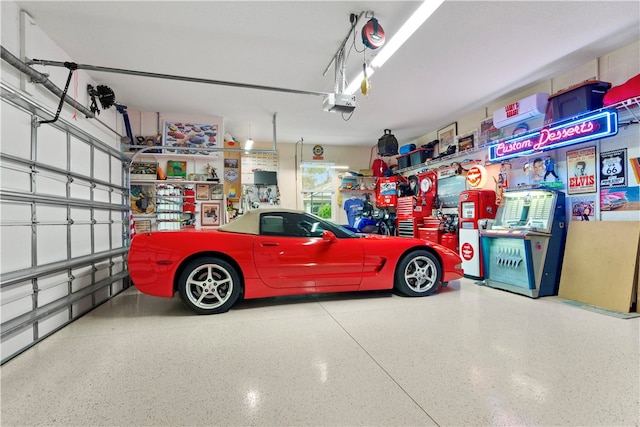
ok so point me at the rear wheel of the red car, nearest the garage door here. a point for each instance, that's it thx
(209, 285)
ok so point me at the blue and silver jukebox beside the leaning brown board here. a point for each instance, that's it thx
(524, 247)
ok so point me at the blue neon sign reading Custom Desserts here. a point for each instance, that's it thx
(594, 126)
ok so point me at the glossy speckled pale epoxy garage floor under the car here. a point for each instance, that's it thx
(469, 356)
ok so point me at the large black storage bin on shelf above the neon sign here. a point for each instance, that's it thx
(582, 98)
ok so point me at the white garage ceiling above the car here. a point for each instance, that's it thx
(466, 55)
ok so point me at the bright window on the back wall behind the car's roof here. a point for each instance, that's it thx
(318, 188)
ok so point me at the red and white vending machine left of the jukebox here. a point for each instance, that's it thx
(475, 205)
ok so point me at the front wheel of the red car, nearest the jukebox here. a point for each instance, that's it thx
(418, 274)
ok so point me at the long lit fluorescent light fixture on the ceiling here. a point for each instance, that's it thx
(414, 22)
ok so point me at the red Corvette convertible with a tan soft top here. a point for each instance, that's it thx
(274, 252)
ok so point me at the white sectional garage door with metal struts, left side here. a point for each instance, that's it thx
(64, 224)
